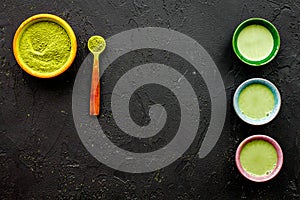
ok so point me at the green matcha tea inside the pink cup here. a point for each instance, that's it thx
(258, 158)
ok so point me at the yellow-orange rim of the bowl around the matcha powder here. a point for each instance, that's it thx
(45, 17)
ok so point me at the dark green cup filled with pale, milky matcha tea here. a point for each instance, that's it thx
(256, 41)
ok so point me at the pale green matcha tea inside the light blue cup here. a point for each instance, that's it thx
(256, 101)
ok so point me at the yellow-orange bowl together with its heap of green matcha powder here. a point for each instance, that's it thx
(45, 45)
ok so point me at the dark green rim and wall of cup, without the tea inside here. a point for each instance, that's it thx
(267, 24)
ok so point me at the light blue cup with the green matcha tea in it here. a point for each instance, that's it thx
(257, 101)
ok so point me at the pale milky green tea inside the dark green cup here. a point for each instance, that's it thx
(255, 42)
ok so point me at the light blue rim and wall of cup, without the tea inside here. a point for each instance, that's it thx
(273, 89)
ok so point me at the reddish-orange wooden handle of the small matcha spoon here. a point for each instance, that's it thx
(95, 88)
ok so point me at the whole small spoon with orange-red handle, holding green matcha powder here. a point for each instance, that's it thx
(96, 45)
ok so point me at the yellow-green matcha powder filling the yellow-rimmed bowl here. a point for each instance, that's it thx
(44, 46)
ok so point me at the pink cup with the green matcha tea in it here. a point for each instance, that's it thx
(259, 158)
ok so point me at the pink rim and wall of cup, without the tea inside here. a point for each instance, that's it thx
(278, 164)
